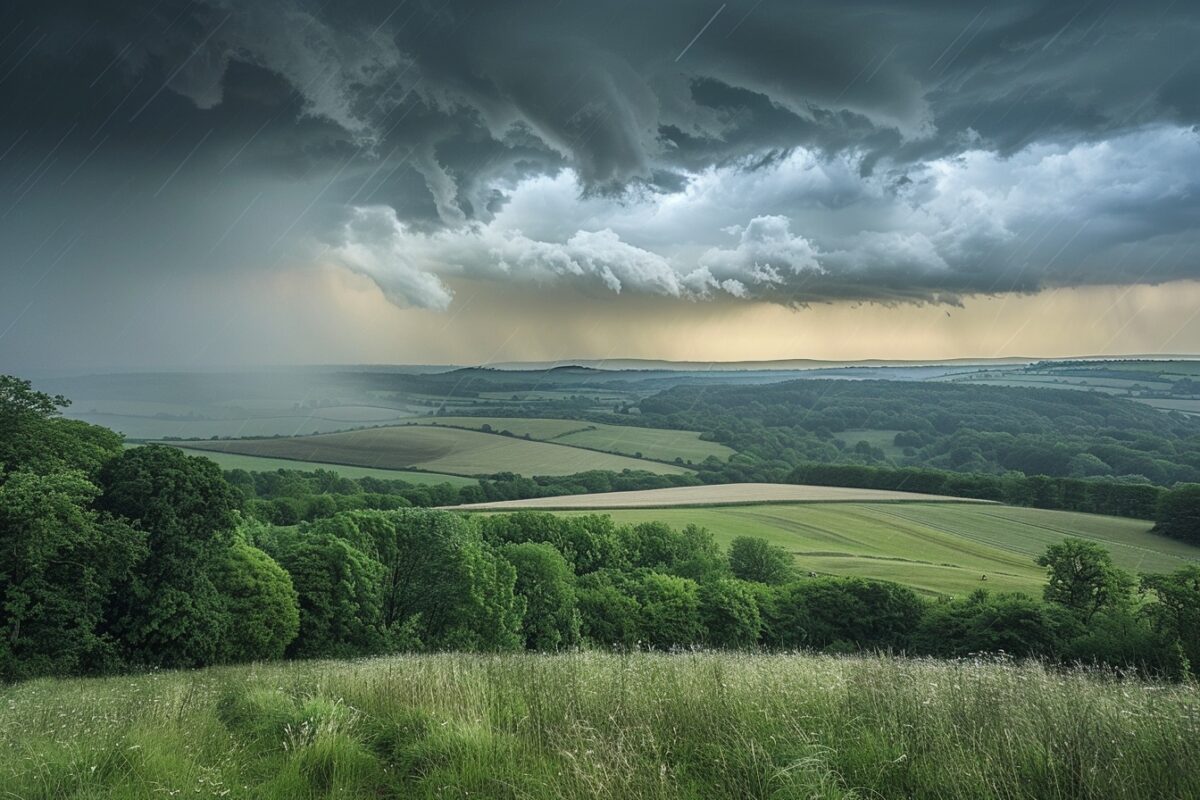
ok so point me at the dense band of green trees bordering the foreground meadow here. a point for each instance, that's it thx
(117, 560)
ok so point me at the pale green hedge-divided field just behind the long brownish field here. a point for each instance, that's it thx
(627, 441)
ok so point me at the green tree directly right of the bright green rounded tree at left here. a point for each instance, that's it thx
(338, 587)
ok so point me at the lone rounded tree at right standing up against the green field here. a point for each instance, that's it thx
(1081, 576)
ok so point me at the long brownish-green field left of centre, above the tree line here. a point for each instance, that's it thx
(454, 452)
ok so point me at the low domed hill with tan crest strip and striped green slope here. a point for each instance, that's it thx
(928, 544)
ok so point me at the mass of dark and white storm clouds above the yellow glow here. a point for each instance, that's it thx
(754, 149)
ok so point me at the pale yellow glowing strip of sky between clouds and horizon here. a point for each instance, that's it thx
(334, 316)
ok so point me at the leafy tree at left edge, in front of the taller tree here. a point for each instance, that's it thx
(58, 564)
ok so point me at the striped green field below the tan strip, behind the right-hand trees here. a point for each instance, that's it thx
(935, 549)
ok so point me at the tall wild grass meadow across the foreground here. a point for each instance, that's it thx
(603, 726)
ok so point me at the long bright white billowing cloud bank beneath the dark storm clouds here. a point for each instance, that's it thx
(803, 222)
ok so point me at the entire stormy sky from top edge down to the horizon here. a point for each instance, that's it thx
(205, 183)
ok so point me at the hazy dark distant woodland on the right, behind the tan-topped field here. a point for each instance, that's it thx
(989, 430)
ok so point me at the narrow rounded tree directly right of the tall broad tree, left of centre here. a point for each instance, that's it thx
(548, 585)
